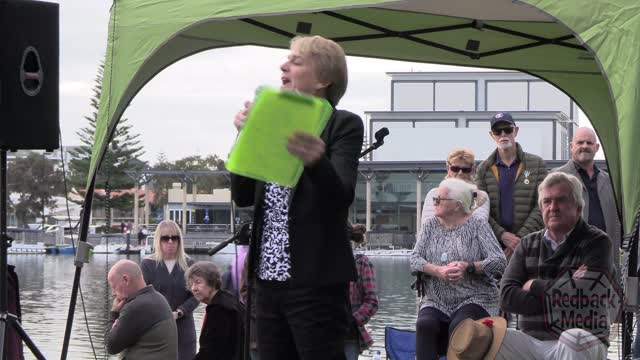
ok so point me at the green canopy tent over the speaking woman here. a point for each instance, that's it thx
(589, 49)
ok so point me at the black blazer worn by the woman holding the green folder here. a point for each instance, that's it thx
(318, 240)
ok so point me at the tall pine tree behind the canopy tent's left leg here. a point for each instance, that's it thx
(123, 154)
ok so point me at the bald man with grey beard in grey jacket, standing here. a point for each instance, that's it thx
(599, 201)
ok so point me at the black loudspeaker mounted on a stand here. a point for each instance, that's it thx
(29, 75)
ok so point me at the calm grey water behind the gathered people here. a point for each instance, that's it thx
(46, 281)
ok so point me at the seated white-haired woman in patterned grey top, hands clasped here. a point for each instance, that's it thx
(459, 258)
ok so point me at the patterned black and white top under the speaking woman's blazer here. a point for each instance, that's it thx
(275, 260)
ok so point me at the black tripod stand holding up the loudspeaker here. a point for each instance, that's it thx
(8, 320)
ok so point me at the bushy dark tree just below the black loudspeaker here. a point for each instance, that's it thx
(36, 180)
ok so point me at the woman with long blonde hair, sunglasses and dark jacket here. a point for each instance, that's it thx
(164, 269)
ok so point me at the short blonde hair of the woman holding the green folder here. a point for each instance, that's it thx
(329, 61)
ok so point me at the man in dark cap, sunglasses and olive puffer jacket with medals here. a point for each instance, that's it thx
(511, 176)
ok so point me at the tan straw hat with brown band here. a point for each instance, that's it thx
(475, 340)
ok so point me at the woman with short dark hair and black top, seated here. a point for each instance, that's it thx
(222, 333)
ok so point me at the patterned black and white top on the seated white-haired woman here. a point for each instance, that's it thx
(472, 241)
